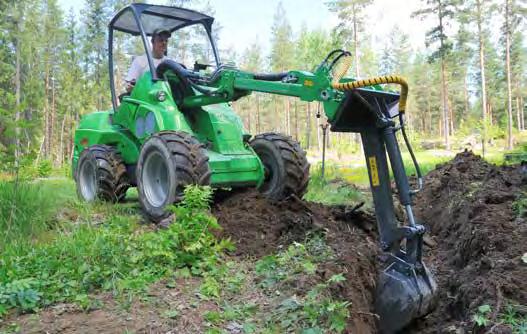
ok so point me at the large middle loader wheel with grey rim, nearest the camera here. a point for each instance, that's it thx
(186, 163)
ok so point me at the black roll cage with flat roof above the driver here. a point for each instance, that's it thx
(142, 19)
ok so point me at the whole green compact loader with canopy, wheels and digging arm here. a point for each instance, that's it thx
(176, 128)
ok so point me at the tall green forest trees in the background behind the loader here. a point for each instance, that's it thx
(467, 84)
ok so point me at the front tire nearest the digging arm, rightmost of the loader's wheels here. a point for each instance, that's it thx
(285, 163)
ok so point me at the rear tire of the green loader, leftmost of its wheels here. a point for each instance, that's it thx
(110, 180)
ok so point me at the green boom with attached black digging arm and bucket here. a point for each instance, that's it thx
(405, 288)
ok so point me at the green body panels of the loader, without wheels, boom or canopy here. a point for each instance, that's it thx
(231, 159)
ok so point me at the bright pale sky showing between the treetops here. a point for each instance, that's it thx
(245, 21)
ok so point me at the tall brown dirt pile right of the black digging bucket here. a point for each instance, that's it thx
(467, 205)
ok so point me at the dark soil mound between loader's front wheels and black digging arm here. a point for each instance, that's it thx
(260, 227)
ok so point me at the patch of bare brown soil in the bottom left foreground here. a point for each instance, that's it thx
(149, 315)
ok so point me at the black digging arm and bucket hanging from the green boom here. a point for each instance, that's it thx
(405, 289)
